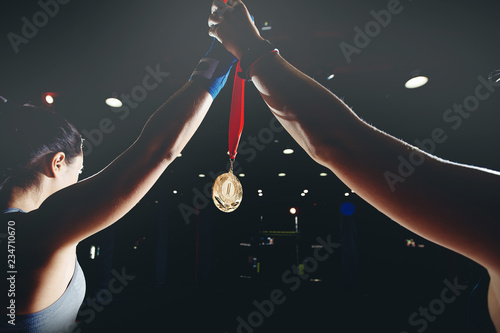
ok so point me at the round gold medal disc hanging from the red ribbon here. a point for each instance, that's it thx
(227, 192)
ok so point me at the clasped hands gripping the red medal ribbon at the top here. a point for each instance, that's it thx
(232, 25)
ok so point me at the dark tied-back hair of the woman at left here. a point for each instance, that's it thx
(28, 135)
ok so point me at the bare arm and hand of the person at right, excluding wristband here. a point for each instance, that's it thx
(451, 204)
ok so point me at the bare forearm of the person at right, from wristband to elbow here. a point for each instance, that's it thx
(317, 119)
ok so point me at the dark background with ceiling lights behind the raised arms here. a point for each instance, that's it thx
(91, 49)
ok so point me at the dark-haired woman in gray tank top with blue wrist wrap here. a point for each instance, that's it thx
(46, 212)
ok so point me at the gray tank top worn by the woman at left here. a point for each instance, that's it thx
(59, 317)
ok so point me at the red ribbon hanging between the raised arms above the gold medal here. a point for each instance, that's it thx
(237, 116)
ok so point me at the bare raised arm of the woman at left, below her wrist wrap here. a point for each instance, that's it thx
(80, 210)
